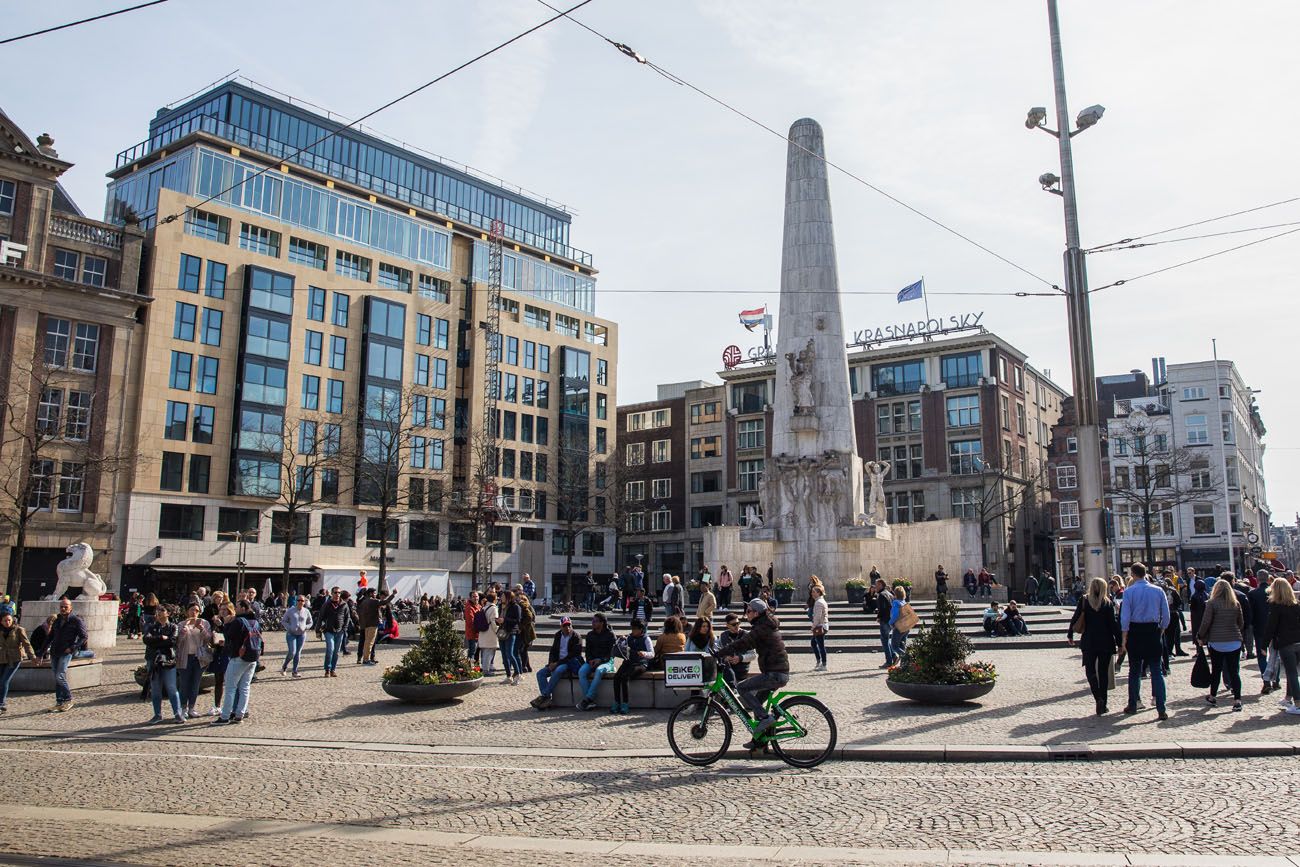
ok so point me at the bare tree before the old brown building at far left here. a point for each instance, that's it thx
(53, 453)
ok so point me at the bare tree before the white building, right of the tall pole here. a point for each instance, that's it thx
(1154, 476)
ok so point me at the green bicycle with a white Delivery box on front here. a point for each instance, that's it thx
(700, 729)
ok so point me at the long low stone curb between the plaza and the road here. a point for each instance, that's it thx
(925, 753)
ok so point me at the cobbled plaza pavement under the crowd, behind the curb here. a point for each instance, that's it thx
(1042, 699)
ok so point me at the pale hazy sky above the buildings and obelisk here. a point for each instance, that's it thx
(925, 101)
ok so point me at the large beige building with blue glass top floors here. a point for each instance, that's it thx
(314, 309)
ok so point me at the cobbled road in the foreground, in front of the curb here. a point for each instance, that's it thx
(527, 803)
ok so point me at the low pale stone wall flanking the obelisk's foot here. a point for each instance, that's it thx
(909, 552)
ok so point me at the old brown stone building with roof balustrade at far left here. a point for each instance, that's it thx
(68, 326)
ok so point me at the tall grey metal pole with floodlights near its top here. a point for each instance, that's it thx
(1091, 513)
